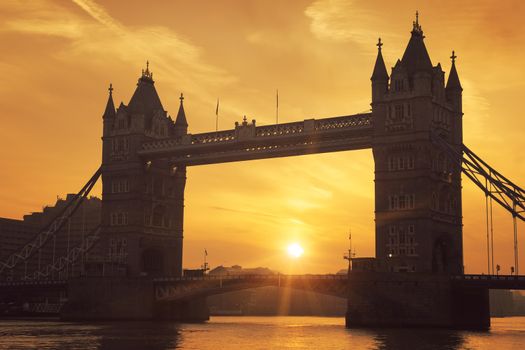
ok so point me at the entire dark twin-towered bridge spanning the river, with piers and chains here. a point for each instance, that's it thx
(415, 131)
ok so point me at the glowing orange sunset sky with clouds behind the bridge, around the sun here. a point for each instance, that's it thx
(58, 58)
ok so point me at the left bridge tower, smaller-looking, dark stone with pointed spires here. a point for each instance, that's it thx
(142, 201)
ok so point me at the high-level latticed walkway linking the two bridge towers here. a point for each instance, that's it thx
(248, 141)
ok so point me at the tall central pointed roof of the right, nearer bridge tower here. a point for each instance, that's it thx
(416, 56)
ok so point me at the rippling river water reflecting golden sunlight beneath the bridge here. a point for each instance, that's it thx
(251, 333)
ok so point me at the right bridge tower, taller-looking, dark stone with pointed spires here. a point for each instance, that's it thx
(417, 187)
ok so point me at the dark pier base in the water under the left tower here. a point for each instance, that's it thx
(114, 298)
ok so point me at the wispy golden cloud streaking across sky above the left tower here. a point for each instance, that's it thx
(101, 35)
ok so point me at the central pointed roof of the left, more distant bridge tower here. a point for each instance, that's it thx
(145, 99)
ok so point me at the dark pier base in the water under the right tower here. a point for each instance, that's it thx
(413, 300)
